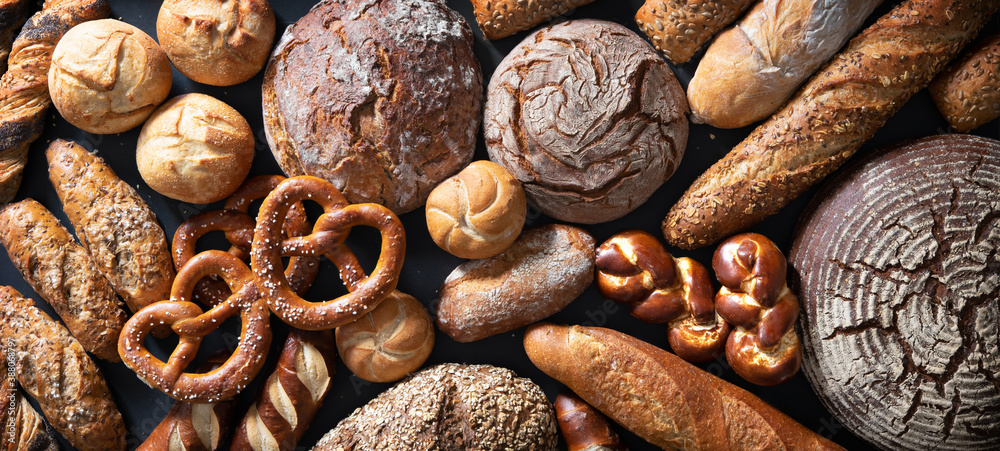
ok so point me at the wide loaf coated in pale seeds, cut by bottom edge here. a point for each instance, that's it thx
(451, 407)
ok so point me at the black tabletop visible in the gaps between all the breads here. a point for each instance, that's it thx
(426, 265)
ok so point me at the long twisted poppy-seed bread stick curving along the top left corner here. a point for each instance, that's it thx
(24, 88)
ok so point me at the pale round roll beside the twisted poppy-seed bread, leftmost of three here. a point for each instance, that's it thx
(108, 76)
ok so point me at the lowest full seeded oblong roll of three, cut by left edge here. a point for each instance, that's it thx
(55, 370)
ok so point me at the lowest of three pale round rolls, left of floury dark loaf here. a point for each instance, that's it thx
(195, 149)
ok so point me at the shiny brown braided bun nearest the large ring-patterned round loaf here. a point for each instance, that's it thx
(763, 347)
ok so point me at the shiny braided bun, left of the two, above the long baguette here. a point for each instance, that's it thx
(633, 268)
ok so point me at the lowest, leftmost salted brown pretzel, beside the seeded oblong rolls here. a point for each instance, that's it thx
(191, 324)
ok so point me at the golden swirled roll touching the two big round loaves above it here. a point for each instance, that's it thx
(478, 212)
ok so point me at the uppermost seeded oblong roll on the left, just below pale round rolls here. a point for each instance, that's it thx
(113, 223)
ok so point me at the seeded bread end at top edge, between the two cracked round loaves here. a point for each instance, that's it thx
(502, 18)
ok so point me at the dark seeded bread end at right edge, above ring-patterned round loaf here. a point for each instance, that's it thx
(968, 92)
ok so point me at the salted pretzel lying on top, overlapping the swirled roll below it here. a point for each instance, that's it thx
(327, 238)
